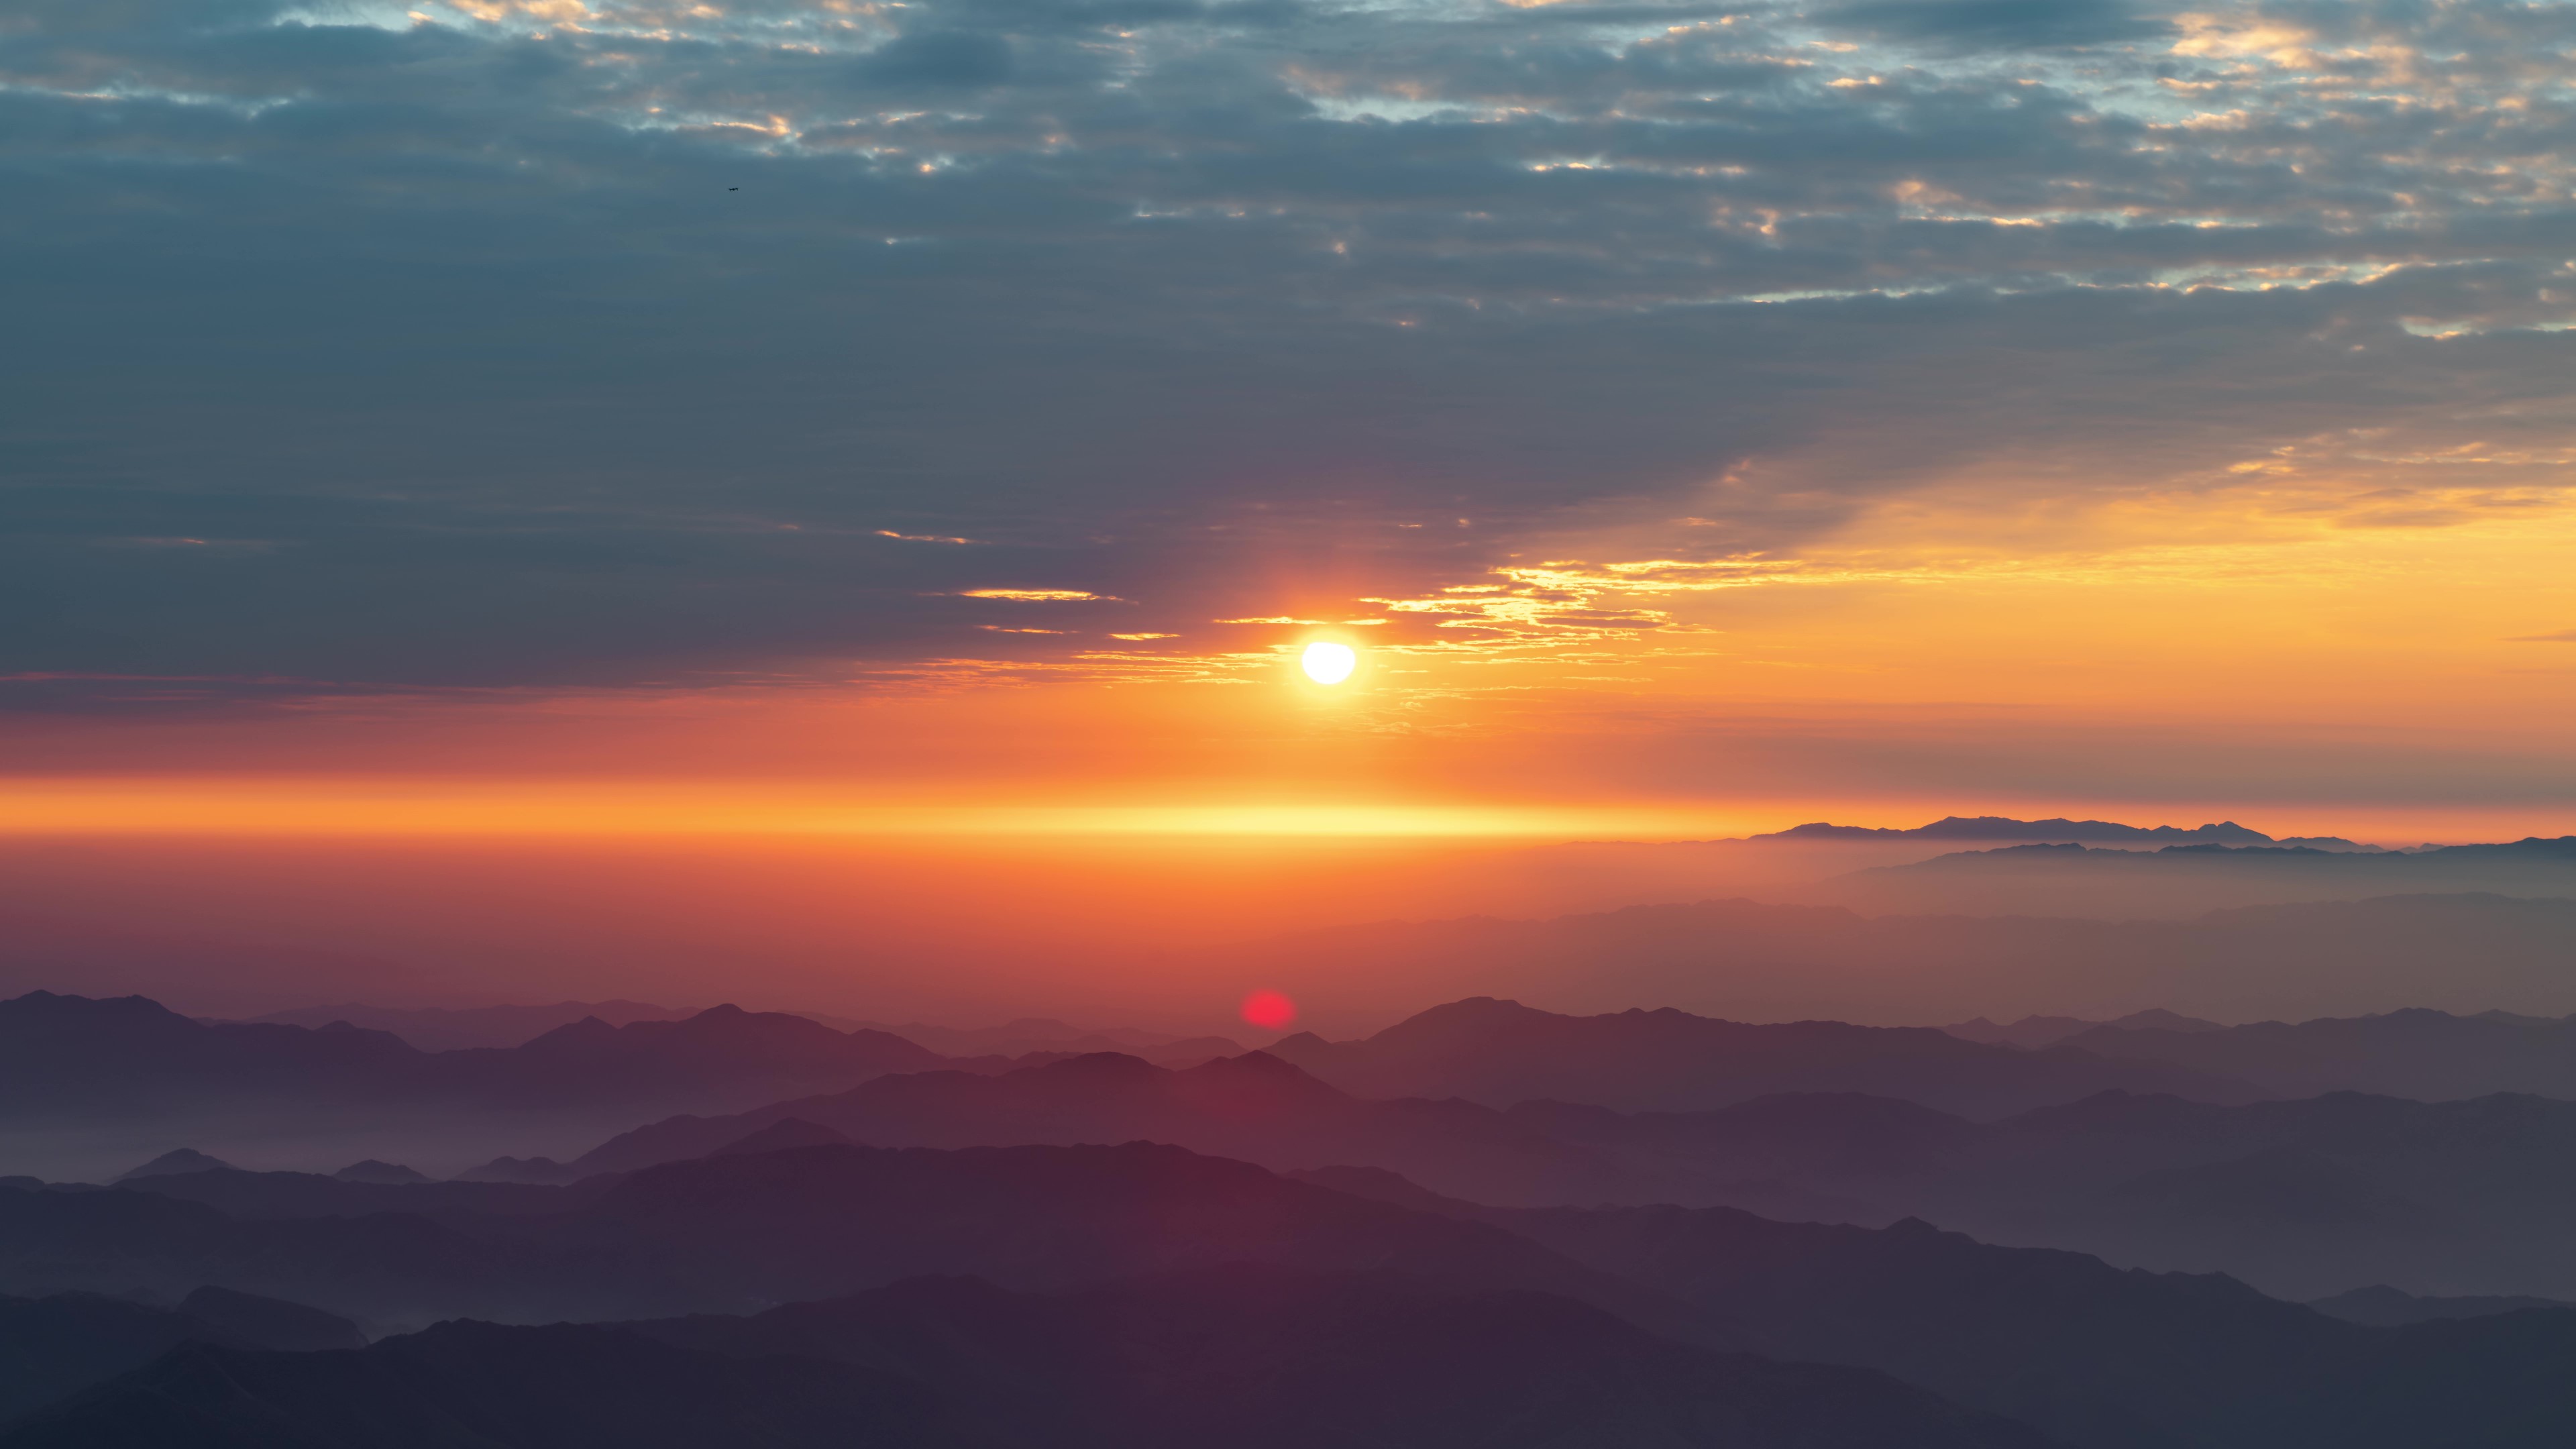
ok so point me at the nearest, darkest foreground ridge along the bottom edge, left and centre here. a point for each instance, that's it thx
(1243, 1355)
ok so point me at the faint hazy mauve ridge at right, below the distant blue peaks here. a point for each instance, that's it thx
(1786, 963)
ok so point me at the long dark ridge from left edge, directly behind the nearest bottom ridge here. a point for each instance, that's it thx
(756, 1229)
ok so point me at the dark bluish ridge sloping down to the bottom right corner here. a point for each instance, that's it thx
(2067, 1345)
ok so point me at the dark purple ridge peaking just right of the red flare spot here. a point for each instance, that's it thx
(1503, 1053)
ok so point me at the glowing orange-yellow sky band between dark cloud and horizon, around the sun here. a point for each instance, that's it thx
(2387, 682)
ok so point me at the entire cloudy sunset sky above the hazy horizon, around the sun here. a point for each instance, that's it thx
(826, 416)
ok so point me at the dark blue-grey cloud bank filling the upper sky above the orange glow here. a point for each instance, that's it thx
(553, 344)
